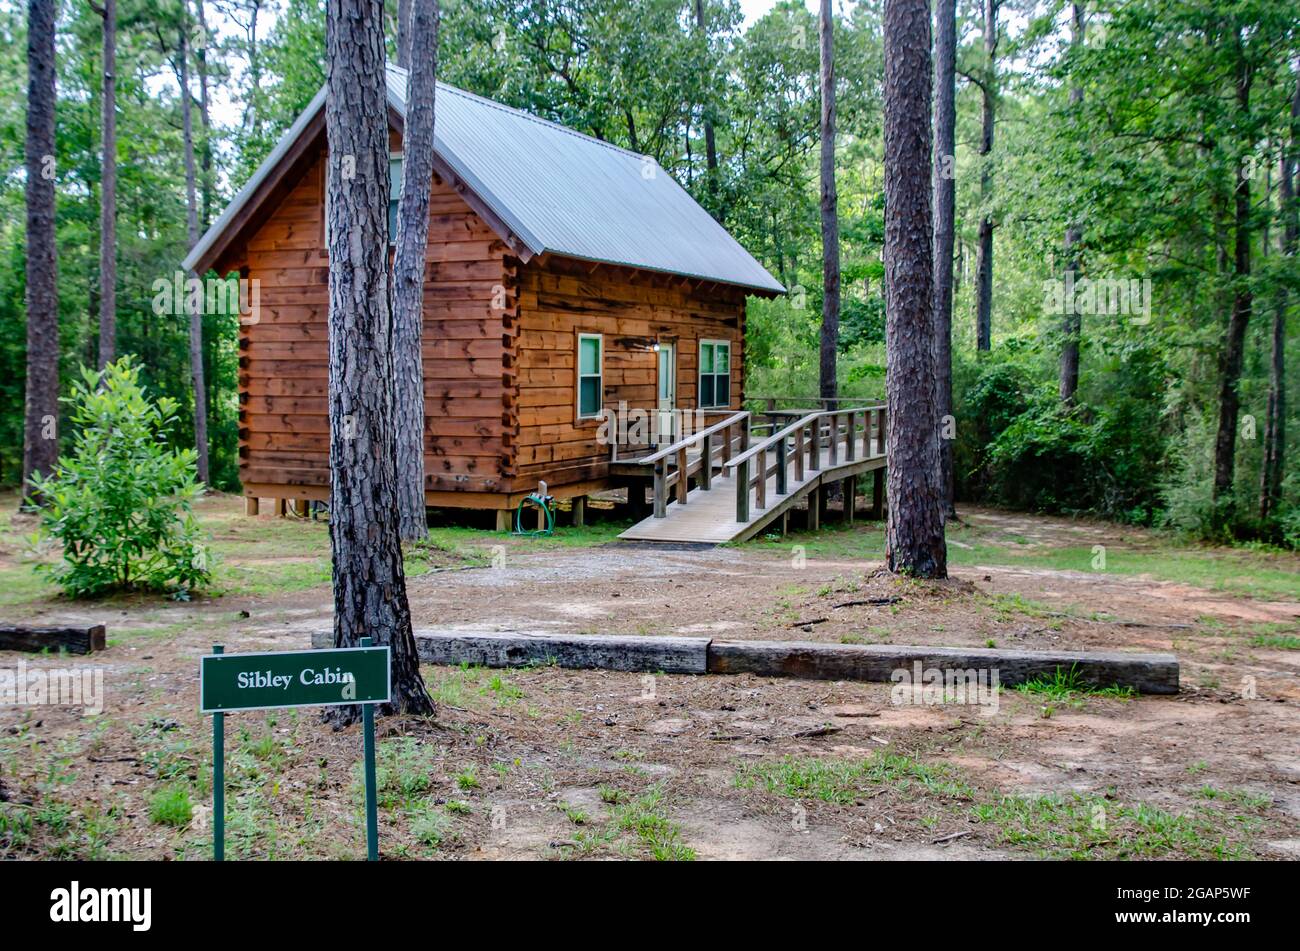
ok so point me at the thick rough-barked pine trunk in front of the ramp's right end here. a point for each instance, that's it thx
(915, 531)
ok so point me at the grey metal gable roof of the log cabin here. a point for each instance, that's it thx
(561, 192)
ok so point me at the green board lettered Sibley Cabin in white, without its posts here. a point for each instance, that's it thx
(294, 679)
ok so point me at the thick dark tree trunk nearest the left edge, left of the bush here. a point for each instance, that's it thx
(41, 440)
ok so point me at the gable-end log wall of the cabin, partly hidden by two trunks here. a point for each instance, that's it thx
(470, 396)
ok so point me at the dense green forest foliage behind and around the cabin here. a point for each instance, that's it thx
(1145, 164)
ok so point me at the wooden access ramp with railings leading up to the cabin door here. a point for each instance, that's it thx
(710, 513)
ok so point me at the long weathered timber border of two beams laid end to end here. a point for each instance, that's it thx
(1146, 674)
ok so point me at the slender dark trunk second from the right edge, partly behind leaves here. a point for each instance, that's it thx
(1234, 341)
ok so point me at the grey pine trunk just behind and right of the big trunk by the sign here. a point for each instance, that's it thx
(409, 267)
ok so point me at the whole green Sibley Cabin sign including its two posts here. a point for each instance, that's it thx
(278, 680)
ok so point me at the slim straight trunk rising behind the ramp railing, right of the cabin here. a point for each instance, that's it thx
(830, 215)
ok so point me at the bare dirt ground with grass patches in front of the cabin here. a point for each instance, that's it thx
(548, 763)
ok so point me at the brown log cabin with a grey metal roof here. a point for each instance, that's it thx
(566, 279)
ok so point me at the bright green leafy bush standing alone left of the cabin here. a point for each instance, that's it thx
(122, 505)
